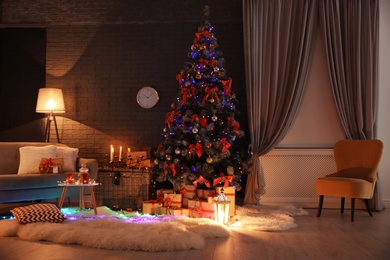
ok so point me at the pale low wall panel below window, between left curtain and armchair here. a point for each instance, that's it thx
(290, 174)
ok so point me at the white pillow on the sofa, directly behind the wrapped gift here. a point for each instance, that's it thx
(30, 157)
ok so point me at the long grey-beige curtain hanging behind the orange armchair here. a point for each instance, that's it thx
(351, 32)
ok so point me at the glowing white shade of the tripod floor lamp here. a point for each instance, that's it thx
(50, 100)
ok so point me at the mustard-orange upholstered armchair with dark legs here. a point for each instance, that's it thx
(357, 164)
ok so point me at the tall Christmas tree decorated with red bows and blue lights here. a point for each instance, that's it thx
(201, 127)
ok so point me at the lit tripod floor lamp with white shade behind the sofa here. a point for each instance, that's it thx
(51, 101)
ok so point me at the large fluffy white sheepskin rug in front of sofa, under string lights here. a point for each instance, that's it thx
(146, 233)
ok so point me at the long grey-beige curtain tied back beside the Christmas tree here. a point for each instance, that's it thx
(277, 41)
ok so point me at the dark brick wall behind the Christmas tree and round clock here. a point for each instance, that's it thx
(102, 52)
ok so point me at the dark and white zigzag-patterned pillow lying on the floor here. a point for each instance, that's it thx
(38, 213)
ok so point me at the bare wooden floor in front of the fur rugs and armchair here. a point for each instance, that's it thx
(332, 236)
